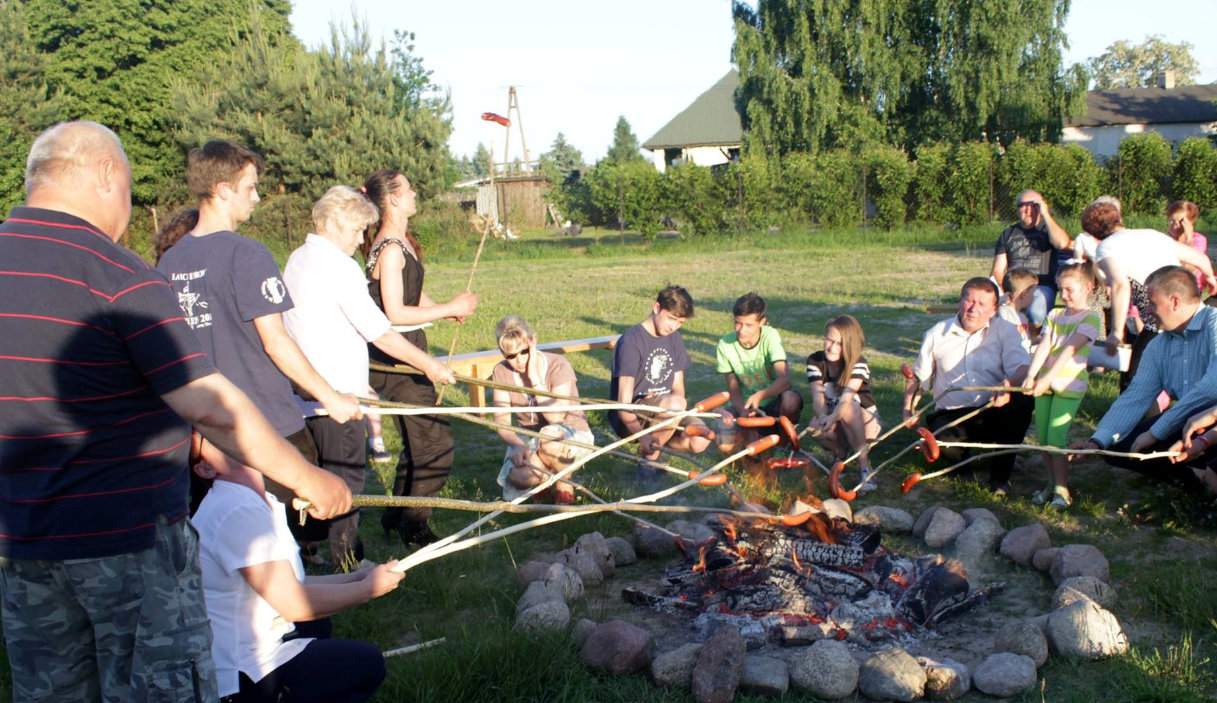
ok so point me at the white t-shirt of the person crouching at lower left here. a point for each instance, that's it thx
(237, 530)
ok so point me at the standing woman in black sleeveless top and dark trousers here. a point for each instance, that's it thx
(395, 272)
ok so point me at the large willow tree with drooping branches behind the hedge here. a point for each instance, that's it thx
(820, 75)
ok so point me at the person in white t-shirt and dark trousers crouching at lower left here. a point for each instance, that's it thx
(271, 628)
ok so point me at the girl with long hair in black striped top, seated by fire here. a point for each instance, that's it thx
(844, 408)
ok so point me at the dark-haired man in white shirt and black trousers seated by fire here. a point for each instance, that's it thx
(975, 348)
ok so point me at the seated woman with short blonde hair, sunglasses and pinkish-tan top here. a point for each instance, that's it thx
(531, 462)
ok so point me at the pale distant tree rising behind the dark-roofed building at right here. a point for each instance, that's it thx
(1126, 65)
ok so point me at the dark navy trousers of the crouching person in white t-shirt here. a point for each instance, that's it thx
(327, 672)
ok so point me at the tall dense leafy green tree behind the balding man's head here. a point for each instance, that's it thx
(115, 63)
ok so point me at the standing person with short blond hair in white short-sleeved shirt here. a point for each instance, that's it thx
(333, 323)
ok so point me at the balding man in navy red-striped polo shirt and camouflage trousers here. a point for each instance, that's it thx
(99, 379)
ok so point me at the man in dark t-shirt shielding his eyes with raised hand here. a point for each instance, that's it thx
(1033, 244)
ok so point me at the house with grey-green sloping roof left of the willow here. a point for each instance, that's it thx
(706, 133)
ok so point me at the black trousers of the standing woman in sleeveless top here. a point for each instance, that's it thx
(427, 457)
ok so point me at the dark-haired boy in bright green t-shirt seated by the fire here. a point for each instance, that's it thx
(755, 365)
